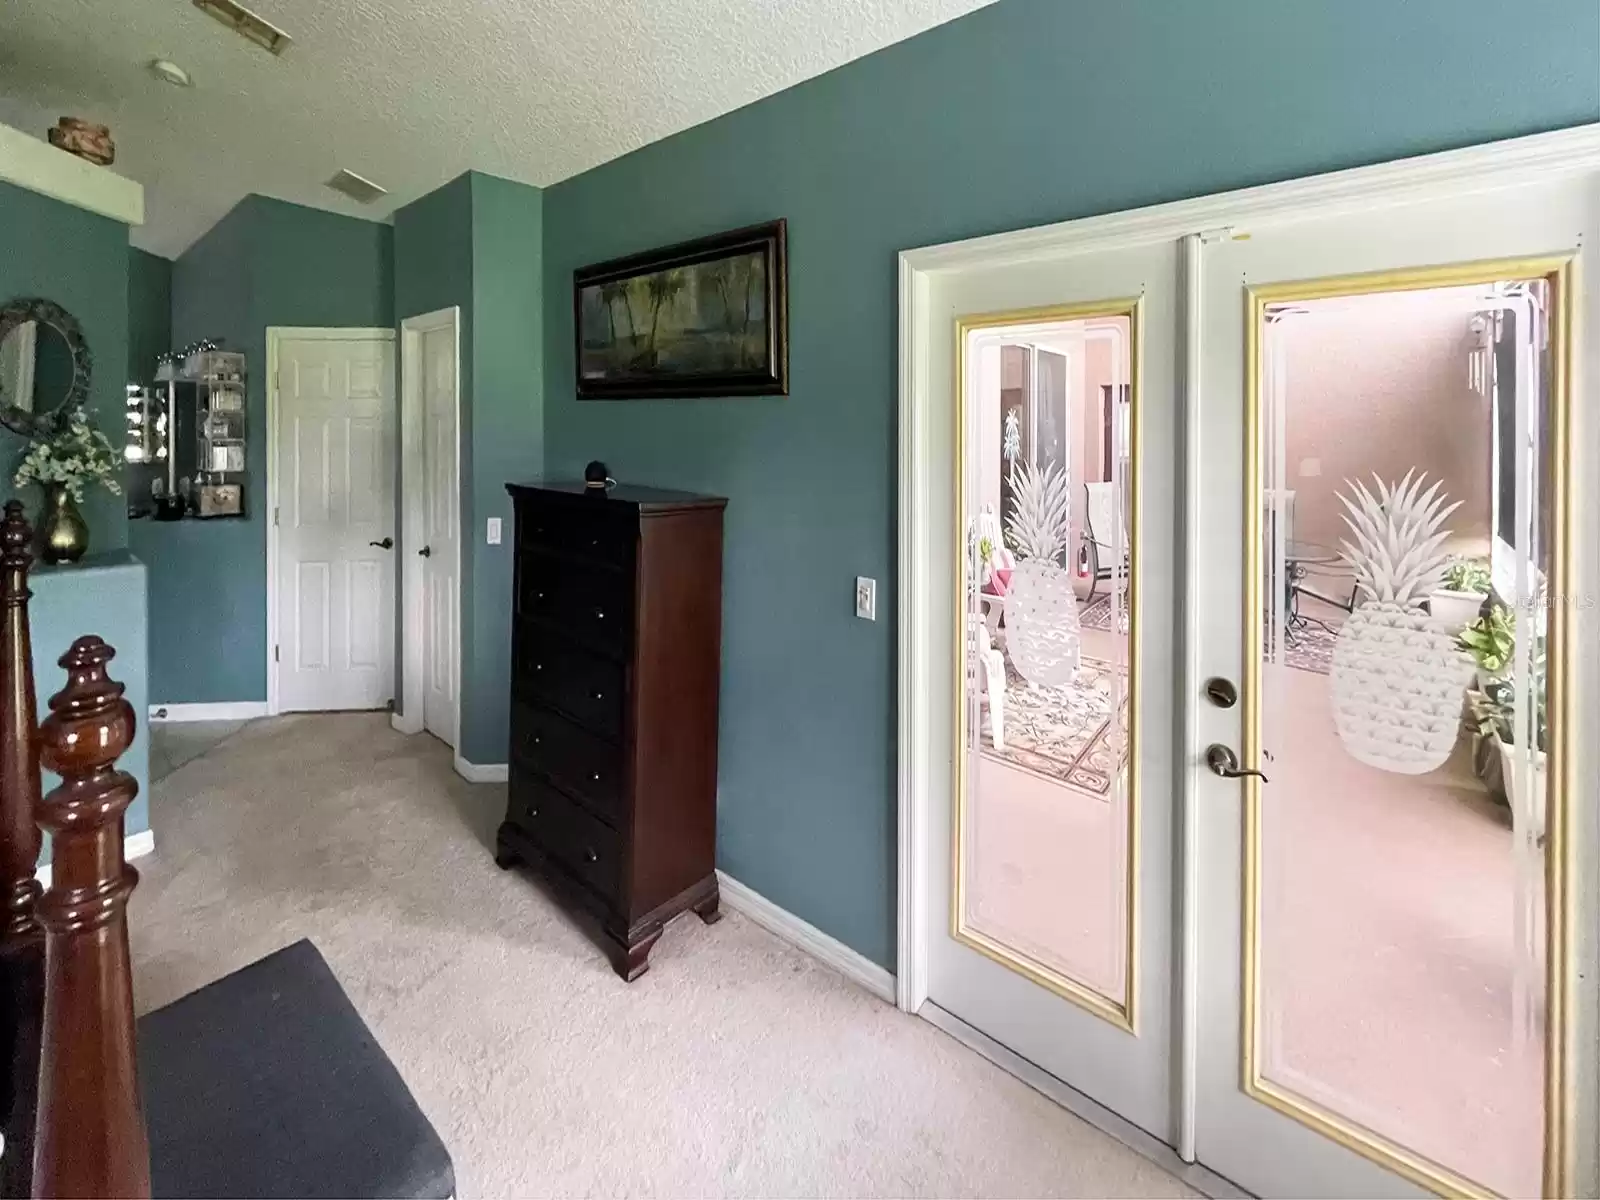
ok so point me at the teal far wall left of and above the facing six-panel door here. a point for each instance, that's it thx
(266, 263)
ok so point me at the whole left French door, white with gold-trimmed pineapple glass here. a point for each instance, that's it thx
(1050, 900)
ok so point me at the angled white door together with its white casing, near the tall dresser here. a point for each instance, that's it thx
(431, 385)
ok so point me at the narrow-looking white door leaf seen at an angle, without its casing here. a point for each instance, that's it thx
(442, 522)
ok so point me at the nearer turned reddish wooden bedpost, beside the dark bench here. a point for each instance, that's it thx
(90, 1137)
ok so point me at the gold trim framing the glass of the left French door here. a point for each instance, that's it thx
(1119, 1012)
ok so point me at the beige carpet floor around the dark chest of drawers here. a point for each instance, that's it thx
(737, 1066)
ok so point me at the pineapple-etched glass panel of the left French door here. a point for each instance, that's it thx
(1046, 804)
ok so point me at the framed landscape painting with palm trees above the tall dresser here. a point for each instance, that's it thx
(705, 318)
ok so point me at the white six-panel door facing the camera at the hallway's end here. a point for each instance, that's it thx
(335, 521)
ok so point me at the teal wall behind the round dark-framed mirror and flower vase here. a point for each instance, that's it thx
(79, 262)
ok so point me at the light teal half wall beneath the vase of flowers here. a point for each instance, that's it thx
(105, 596)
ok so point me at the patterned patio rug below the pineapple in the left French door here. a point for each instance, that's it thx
(1065, 734)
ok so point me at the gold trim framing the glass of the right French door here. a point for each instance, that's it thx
(1559, 950)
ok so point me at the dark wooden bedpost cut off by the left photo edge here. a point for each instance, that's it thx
(22, 940)
